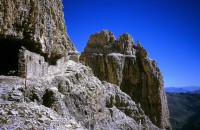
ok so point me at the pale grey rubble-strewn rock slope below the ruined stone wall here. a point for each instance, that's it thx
(70, 99)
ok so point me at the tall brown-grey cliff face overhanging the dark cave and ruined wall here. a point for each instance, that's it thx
(38, 24)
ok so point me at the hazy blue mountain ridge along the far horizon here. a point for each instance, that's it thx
(188, 89)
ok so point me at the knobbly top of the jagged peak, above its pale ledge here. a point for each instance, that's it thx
(105, 42)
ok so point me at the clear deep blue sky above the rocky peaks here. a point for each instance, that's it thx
(168, 29)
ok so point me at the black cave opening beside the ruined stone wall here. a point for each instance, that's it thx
(9, 50)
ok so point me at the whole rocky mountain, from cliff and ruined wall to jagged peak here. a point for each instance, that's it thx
(51, 91)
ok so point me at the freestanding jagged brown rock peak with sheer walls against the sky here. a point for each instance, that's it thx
(122, 63)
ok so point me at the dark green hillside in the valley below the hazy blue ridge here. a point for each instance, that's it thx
(184, 110)
